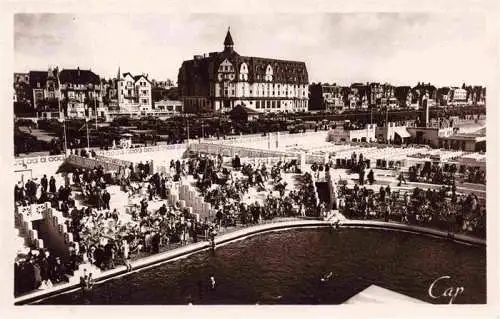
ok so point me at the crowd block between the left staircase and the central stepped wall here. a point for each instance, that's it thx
(105, 240)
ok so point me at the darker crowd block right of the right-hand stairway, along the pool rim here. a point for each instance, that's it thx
(442, 208)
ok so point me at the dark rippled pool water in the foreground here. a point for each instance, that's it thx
(285, 267)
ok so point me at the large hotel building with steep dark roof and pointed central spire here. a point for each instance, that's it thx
(220, 81)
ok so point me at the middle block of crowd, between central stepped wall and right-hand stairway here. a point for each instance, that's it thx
(227, 194)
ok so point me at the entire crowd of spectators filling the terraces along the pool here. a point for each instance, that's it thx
(105, 239)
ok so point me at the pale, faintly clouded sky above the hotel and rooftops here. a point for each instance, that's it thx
(398, 48)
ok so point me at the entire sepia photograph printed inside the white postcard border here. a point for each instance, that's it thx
(250, 159)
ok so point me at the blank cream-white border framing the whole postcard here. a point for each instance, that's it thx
(486, 7)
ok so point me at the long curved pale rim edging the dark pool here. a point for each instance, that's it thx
(182, 252)
